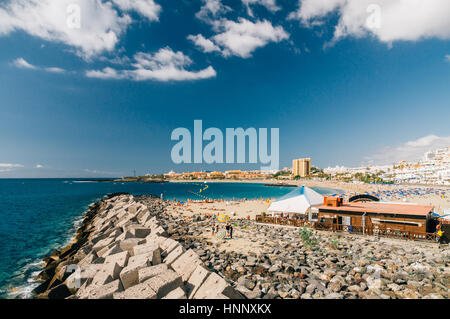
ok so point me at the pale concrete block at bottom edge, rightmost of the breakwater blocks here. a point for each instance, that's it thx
(214, 287)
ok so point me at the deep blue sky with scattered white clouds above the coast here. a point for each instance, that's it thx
(103, 99)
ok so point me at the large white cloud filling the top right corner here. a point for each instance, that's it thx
(388, 20)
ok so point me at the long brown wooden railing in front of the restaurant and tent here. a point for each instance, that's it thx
(380, 231)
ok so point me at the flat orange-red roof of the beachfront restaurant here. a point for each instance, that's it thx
(382, 208)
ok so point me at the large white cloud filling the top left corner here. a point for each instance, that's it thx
(100, 24)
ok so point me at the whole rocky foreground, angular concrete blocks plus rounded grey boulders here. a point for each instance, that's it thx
(134, 247)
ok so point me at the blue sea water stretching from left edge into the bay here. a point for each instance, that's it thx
(40, 215)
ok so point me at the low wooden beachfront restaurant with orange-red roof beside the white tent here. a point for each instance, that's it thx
(377, 216)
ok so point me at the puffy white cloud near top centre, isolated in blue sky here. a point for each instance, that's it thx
(243, 37)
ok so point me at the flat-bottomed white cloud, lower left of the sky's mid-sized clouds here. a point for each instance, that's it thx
(164, 65)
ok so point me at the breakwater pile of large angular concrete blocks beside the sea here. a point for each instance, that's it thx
(122, 252)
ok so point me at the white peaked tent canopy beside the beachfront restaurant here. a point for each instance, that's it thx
(299, 201)
